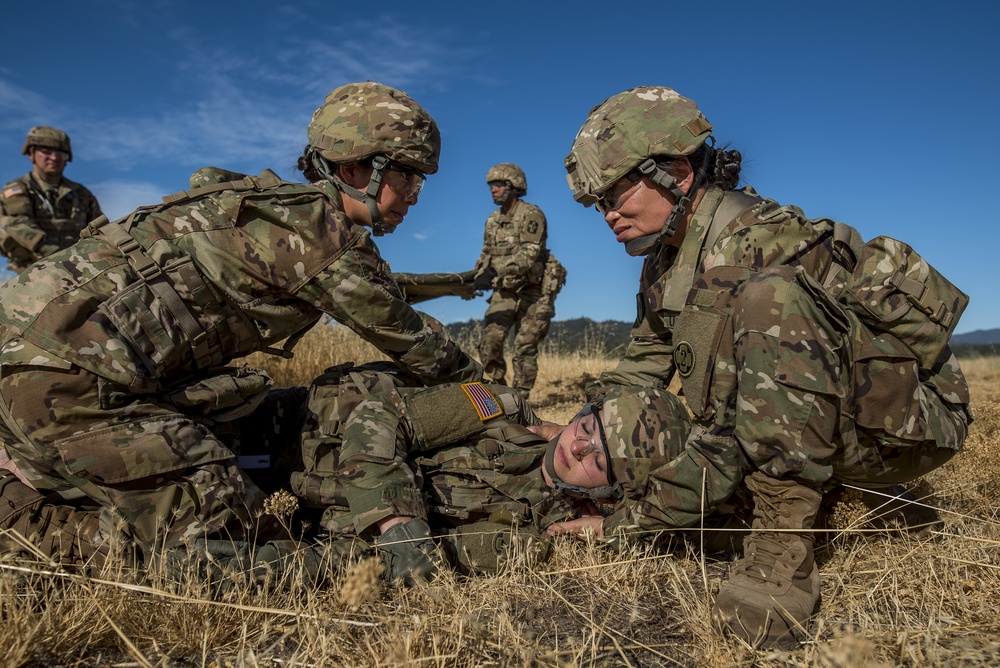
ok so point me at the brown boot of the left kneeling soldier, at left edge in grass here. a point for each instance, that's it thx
(62, 533)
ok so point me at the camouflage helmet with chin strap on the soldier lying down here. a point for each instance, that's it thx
(641, 429)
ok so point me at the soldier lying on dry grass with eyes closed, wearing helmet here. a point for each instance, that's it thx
(399, 464)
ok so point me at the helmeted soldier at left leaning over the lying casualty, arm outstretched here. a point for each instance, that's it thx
(113, 352)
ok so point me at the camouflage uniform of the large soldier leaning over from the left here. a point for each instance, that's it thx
(249, 268)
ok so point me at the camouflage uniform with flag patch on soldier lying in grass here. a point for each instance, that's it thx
(426, 453)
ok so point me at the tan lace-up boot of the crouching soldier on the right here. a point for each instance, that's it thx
(774, 588)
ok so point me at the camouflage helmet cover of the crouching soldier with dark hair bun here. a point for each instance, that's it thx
(627, 128)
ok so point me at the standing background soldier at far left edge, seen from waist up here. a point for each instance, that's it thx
(42, 211)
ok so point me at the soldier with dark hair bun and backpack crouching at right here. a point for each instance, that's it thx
(756, 307)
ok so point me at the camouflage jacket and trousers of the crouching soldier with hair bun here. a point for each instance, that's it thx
(778, 374)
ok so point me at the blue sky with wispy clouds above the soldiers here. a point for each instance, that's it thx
(883, 115)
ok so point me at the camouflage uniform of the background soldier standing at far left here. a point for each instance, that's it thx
(37, 219)
